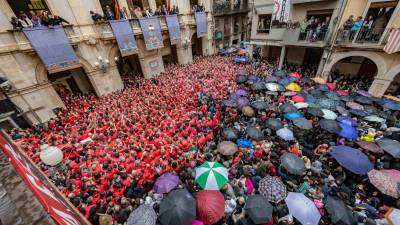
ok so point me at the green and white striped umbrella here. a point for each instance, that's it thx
(211, 176)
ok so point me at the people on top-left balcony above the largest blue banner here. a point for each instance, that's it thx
(32, 20)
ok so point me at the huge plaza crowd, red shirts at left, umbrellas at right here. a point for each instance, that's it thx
(221, 143)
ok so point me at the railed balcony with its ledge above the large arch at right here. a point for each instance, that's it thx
(364, 37)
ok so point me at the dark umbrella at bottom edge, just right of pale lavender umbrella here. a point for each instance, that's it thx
(339, 212)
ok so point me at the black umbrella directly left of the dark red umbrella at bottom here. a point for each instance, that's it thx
(179, 207)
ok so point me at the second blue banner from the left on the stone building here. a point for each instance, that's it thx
(124, 34)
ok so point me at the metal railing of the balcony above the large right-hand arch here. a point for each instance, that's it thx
(364, 35)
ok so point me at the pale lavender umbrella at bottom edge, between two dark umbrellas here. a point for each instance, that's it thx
(302, 208)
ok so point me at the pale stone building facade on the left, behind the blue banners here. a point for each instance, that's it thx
(35, 93)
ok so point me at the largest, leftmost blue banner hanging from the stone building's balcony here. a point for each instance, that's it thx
(53, 48)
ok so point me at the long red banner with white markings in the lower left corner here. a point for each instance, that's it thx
(54, 203)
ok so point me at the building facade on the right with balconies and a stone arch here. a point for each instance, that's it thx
(332, 46)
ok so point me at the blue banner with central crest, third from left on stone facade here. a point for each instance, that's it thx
(151, 32)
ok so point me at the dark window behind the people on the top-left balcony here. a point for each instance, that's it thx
(37, 6)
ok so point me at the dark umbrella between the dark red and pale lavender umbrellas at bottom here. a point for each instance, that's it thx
(258, 209)
